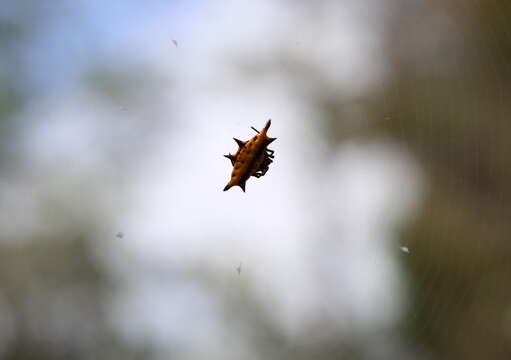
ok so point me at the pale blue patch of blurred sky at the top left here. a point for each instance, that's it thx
(68, 36)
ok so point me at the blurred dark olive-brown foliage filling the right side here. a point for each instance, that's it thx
(457, 122)
